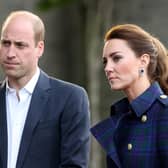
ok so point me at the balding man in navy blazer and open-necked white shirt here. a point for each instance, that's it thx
(44, 122)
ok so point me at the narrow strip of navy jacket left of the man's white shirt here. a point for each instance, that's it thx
(3, 127)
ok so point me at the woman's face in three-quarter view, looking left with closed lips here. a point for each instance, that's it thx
(121, 65)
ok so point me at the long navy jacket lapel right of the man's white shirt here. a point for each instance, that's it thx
(38, 102)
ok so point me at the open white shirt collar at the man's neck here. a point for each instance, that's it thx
(29, 87)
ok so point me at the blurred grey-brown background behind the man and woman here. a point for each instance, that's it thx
(74, 40)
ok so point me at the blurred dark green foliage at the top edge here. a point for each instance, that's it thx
(48, 4)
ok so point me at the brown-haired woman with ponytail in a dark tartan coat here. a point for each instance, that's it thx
(136, 133)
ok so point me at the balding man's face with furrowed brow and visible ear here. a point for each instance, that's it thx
(18, 53)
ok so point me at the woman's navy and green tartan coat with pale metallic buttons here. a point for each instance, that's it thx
(136, 133)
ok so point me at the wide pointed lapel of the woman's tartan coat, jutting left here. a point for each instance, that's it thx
(104, 132)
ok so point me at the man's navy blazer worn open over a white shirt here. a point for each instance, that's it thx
(56, 131)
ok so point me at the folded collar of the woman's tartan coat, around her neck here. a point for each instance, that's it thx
(141, 104)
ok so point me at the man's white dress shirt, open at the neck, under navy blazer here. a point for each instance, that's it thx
(17, 109)
